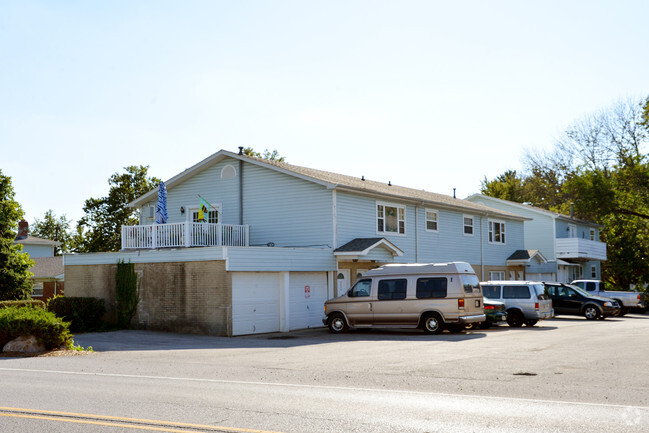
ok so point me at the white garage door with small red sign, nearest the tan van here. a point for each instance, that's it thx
(308, 292)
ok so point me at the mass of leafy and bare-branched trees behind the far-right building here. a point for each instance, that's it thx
(601, 166)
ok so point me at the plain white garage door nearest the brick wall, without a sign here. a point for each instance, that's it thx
(255, 302)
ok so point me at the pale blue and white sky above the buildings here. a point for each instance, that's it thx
(432, 95)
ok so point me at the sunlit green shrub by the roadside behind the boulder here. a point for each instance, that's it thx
(22, 321)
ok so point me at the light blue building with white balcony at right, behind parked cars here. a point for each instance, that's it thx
(558, 247)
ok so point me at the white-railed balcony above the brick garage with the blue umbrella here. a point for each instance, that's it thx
(184, 235)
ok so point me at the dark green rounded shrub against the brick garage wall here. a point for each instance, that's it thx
(84, 314)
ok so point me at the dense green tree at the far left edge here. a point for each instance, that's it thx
(14, 264)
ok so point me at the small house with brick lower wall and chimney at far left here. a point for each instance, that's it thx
(48, 278)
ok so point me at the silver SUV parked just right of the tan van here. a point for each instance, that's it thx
(526, 301)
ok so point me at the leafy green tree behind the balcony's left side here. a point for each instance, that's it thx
(100, 229)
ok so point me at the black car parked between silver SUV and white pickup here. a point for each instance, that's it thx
(571, 300)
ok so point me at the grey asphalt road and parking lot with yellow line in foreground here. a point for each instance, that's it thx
(564, 375)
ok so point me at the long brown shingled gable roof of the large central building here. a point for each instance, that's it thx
(339, 182)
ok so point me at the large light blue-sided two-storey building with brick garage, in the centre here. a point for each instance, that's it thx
(281, 239)
